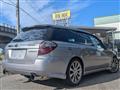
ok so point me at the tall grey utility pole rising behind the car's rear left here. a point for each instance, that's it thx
(18, 17)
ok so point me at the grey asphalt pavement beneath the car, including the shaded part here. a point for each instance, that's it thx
(96, 81)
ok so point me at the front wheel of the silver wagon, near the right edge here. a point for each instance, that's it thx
(114, 65)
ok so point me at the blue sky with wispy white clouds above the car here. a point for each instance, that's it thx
(83, 12)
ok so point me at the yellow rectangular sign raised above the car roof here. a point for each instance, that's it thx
(61, 15)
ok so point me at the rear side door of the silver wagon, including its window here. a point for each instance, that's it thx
(88, 51)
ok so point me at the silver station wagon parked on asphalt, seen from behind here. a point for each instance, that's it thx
(57, 52)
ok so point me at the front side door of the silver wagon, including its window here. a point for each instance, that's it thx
(101, 59)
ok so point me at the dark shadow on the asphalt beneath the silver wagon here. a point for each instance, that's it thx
(91, 79)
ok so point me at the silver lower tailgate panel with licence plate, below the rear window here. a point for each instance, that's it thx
(22, 53)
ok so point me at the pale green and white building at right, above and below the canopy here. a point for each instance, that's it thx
(110, 21)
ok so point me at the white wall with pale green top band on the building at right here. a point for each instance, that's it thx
(109, 21)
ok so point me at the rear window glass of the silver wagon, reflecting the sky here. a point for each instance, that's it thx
(32, 35)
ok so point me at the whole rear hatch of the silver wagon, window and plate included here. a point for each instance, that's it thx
(24, 48)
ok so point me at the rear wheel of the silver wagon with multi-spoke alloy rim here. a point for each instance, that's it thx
(74, 72)
